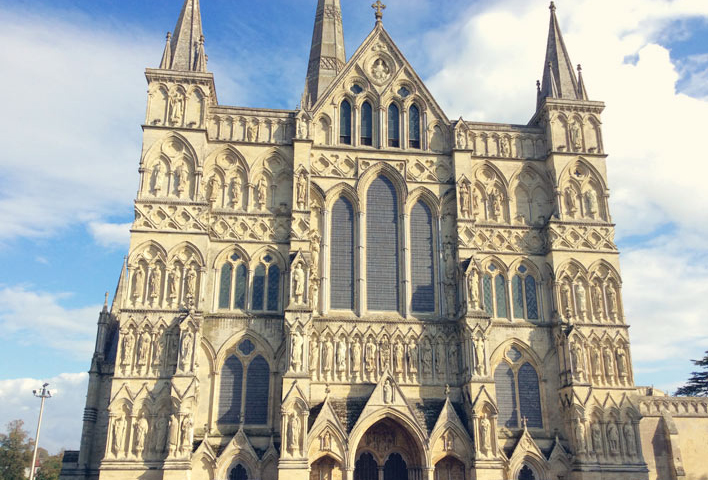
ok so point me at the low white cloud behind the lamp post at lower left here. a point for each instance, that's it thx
(61, 423)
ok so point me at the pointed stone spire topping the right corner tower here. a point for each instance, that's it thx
(559, 79)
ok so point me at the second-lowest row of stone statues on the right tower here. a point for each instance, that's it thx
(602, 364)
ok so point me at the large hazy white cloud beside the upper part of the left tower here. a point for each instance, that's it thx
(70, 120)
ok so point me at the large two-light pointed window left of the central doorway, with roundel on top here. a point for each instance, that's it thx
(244, 389)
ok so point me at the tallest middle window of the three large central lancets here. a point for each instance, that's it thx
(382, 287)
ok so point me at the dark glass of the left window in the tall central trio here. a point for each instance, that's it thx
(342, 256)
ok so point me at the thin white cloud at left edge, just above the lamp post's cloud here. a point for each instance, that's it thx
(38, 319)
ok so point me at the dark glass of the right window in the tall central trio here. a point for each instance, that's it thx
(423, 297)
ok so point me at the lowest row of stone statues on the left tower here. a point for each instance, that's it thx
(149, 437)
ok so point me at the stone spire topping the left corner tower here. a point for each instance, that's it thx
(186, 50)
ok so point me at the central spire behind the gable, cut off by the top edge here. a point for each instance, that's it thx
(327, 55)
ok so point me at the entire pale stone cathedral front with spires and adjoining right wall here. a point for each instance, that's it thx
(365, 289)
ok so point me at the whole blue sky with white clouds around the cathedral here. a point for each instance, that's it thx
(71, 136)
